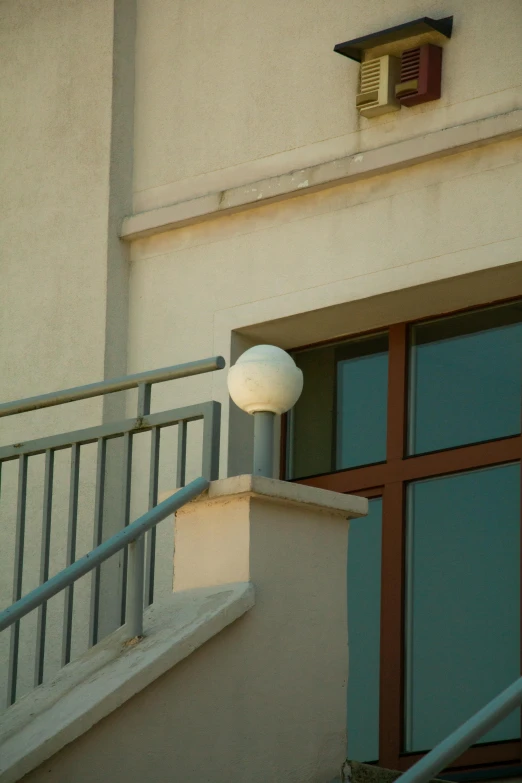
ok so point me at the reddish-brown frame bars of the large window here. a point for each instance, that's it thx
(388, 480)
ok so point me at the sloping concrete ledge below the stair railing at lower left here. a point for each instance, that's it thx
(86, 691)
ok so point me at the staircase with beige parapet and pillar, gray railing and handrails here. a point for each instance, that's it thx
(240, 672)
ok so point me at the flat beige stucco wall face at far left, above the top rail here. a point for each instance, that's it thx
(56, 89)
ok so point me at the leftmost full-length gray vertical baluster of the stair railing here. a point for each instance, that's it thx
(12, 676)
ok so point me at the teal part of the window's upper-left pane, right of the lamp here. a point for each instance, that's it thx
(362, 393)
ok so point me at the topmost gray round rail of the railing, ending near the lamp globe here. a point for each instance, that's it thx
(112, 385)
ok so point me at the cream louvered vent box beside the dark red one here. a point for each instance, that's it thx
(377, 86)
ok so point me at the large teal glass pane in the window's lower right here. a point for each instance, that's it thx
(463, 601)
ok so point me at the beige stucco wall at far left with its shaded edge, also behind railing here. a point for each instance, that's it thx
(63, 298)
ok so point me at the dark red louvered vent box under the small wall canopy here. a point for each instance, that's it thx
(420, 76)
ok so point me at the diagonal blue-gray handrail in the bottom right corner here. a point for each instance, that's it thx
(462, 738)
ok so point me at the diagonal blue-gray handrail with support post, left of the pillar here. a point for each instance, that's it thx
(129, 536)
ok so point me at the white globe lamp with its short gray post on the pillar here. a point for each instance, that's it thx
(264, 382)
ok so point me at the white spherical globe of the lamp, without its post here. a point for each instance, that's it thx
(265, 378)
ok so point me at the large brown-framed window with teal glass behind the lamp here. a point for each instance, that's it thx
(424, 419)
